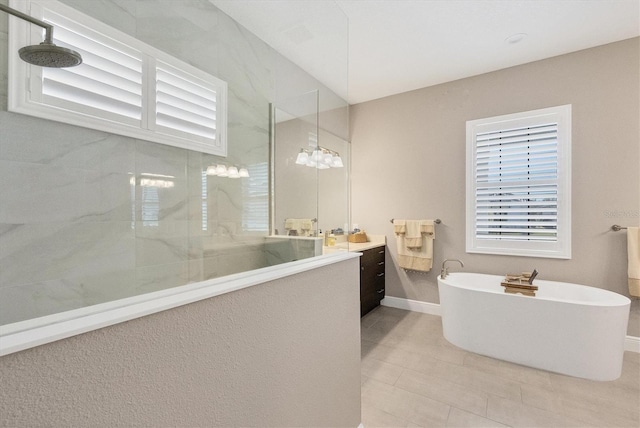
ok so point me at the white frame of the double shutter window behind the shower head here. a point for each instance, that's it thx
(25, 82)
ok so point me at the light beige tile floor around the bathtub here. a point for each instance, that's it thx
(412, 377)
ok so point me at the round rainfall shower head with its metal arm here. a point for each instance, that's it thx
(46, 54)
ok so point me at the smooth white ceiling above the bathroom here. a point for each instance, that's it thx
(396, 46)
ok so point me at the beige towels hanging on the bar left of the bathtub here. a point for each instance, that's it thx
(415, 258)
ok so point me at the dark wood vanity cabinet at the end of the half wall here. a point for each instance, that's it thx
(371, 279)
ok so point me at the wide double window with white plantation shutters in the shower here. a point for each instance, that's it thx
(123, 86)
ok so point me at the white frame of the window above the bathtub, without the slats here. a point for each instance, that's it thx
(561, 247)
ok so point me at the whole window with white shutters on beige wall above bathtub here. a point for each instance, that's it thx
(518, 184)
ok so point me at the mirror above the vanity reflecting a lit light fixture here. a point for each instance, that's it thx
(311, 168)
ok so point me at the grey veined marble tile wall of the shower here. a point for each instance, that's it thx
(76, 226)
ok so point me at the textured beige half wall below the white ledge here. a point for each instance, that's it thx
(283, 353)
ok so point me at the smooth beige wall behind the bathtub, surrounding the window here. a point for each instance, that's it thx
(408, 161)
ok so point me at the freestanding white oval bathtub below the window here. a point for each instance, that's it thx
(566, 328)
